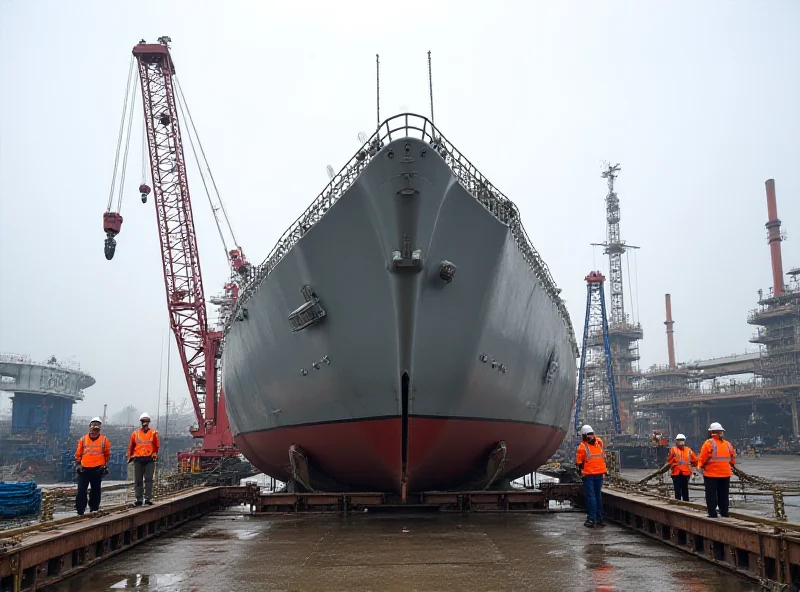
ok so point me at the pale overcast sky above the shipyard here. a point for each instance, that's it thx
(697, 100)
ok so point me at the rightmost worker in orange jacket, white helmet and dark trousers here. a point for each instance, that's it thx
(717, 457)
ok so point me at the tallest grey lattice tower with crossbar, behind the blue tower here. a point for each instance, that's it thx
(623, 335)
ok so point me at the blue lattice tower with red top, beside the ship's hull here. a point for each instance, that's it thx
(597, 398)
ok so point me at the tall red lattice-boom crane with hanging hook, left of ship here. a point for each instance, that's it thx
(199, 347)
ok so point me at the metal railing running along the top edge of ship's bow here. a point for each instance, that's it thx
(415, 126)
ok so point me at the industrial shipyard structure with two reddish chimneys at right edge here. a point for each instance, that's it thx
(754, 395)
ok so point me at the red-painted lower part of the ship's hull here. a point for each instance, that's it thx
(368, 454)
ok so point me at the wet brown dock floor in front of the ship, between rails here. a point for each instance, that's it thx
(376, 551)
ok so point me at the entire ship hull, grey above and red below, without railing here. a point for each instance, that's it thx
(406, 379)
